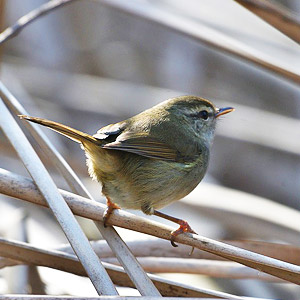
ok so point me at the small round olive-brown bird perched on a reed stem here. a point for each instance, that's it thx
(151, 159)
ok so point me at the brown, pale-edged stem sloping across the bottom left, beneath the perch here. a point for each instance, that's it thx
(29, 254)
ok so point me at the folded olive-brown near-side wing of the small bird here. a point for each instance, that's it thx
(143, 145)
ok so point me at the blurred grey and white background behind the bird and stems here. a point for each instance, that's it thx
(89, 64)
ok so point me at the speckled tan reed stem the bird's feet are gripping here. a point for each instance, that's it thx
(23, 188)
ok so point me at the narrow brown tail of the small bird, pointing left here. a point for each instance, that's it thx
(71, 133)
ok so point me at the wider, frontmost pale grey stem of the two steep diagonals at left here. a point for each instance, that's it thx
(60, 209)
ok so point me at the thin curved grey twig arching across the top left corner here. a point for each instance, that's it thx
(44, 9)
